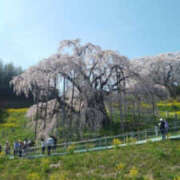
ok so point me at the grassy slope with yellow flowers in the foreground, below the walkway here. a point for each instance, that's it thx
(159, 161)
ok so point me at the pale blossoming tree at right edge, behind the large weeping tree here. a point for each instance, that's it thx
(163, 70)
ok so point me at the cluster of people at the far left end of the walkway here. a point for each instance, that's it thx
(19, 147)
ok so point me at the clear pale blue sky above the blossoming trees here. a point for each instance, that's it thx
(31, 30)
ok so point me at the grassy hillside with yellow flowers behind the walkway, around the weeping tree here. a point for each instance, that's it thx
(13, 122)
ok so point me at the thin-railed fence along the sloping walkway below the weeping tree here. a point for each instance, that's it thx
(105, 142)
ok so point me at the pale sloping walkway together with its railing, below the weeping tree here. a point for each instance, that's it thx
(104, 143)
